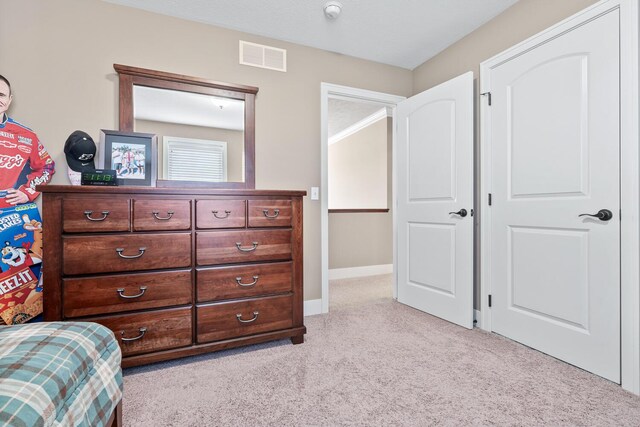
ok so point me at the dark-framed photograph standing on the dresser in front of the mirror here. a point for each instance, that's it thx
(133, 155)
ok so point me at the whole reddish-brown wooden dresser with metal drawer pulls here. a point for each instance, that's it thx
(175, 272)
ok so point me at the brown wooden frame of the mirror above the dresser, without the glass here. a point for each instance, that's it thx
(129, 76)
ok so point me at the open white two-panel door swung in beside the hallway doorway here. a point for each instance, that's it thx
(435, 201)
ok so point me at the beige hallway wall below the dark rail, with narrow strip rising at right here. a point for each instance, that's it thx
(361, 239)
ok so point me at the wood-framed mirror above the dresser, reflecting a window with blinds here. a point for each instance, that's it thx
(205, 128)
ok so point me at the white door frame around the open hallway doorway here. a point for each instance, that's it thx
(327, 91)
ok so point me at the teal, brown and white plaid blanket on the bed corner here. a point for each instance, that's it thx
(58, 374)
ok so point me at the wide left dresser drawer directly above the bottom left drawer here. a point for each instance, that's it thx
(92, 296)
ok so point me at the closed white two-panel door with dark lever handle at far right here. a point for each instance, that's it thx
(554, 141)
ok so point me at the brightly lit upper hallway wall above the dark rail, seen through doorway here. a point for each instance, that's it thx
(358, 169)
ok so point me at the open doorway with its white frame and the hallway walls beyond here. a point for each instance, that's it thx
(357, 219)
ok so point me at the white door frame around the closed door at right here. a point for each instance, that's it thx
(629, 174)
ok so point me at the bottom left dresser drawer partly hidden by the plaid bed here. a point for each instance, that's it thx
(150, 331)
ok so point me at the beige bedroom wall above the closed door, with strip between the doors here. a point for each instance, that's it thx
(519, 22)
